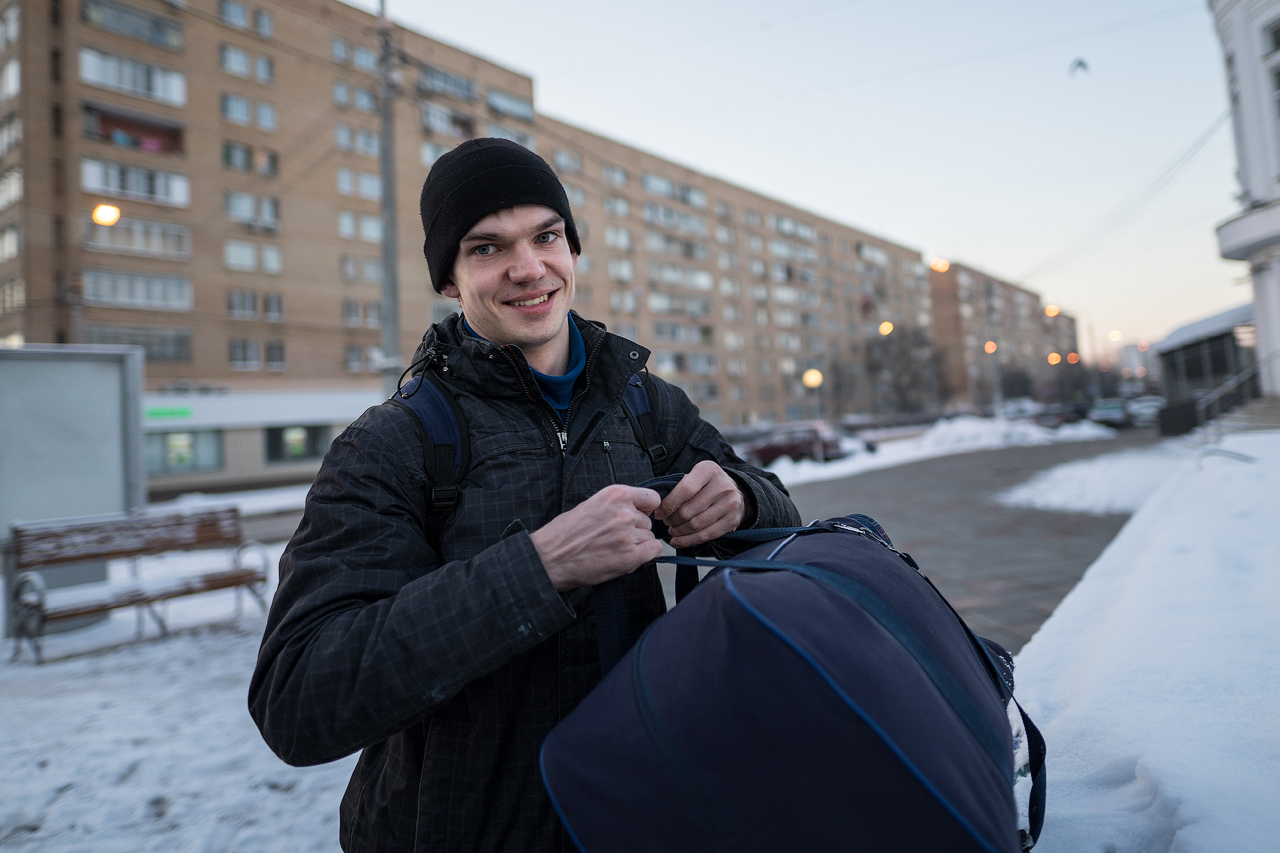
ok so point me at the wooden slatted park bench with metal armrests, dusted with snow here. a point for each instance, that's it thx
(47, 545)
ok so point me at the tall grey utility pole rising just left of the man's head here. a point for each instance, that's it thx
(390, 316)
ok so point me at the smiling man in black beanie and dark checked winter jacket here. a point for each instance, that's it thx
(447, 649)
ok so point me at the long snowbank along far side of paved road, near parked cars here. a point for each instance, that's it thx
(954, 436)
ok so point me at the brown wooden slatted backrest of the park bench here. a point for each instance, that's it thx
(108, 537)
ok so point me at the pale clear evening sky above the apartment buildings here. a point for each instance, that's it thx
(958, 130)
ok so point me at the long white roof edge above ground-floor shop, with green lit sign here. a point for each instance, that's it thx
(250, 409)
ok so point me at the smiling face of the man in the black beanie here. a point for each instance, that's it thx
(515, 277)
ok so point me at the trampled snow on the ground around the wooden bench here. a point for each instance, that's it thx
(150, 747)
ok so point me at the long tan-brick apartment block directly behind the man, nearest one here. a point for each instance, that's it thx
(240, 143)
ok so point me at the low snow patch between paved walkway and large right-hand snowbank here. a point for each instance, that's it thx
(1112, 483)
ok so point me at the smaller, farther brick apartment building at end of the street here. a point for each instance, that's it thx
(1035, 344)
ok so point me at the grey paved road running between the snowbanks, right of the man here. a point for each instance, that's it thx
(1003, 569)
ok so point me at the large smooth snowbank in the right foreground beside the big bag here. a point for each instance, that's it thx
(1158, 678)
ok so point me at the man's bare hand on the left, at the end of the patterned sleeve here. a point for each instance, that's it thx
(604, 537)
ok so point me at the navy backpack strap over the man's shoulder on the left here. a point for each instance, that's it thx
(446, 441)
